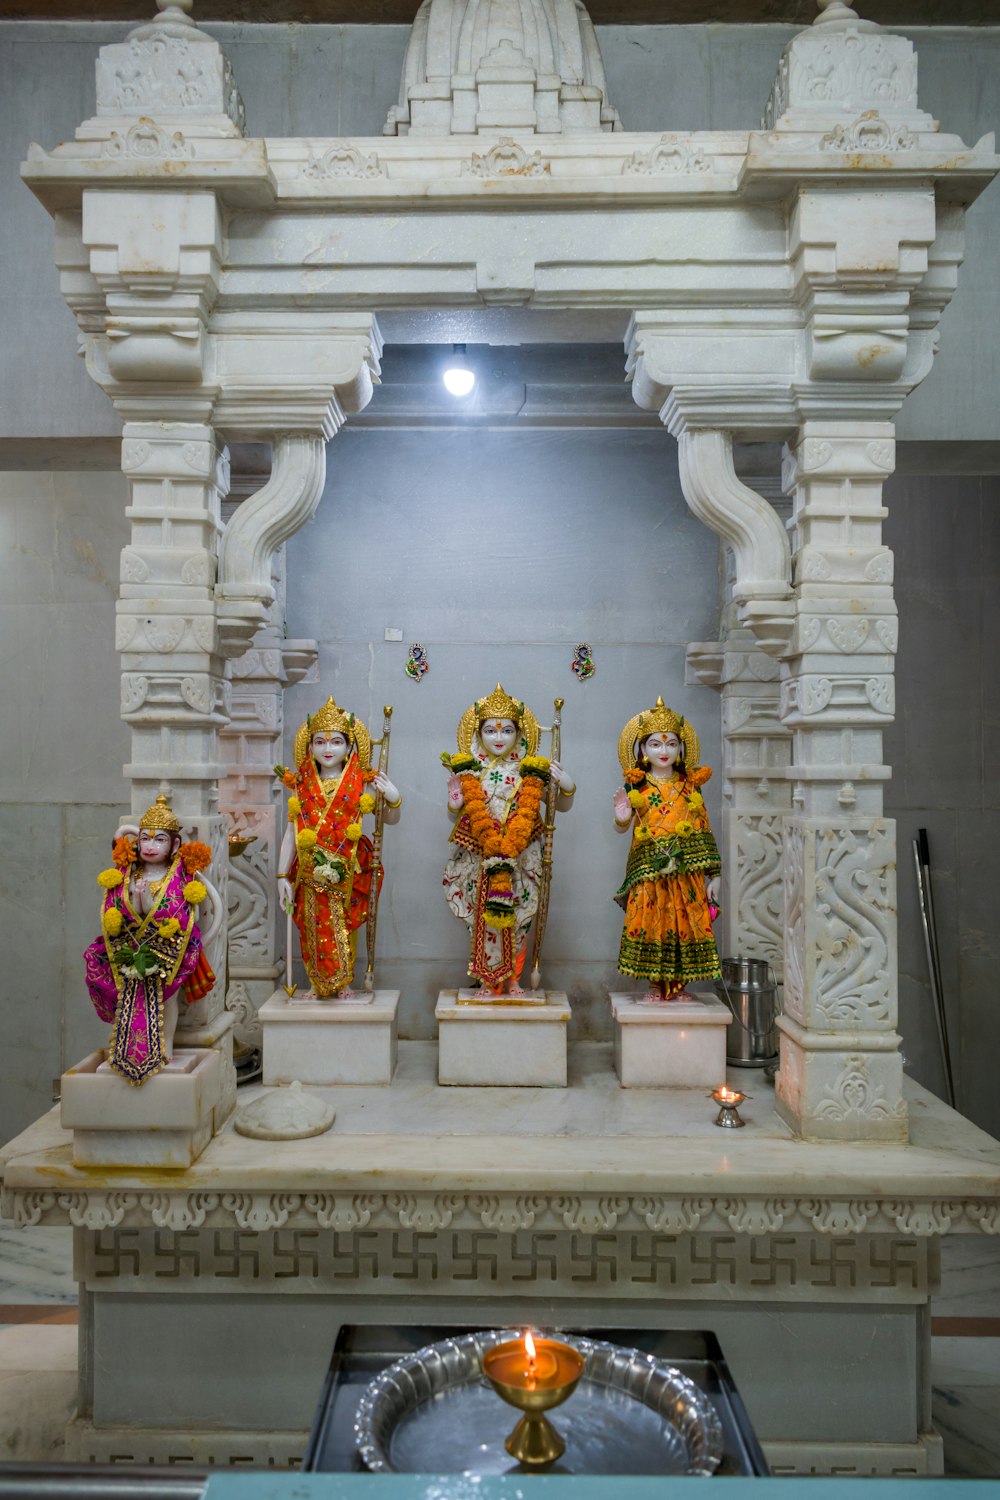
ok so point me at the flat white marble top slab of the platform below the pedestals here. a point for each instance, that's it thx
(594, 1135)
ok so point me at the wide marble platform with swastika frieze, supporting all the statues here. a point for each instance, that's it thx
(591, 1205)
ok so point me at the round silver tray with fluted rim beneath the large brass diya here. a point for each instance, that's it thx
(433, 1412)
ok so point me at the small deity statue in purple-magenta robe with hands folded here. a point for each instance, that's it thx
(151, 949)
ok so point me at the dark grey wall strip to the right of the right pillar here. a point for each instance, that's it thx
(944, 749)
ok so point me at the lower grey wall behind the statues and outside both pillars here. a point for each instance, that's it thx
(499, 553)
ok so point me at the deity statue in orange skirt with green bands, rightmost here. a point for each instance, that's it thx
(672, 883)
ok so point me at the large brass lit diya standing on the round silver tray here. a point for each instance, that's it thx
(534, 1375)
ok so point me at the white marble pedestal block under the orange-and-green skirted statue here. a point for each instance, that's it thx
(678, 1045)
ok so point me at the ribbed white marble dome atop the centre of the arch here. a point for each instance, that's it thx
(481, 67)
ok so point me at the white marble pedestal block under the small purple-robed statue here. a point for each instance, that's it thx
(164, 1123)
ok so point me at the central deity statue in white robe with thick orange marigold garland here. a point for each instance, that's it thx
(497, 787)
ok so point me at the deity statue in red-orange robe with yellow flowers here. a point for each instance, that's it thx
(326, 863)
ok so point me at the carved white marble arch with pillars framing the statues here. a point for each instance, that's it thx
(776, 284)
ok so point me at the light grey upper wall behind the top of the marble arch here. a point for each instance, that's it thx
(343, 79)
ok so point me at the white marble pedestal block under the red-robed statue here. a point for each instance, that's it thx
(331, 1042)
